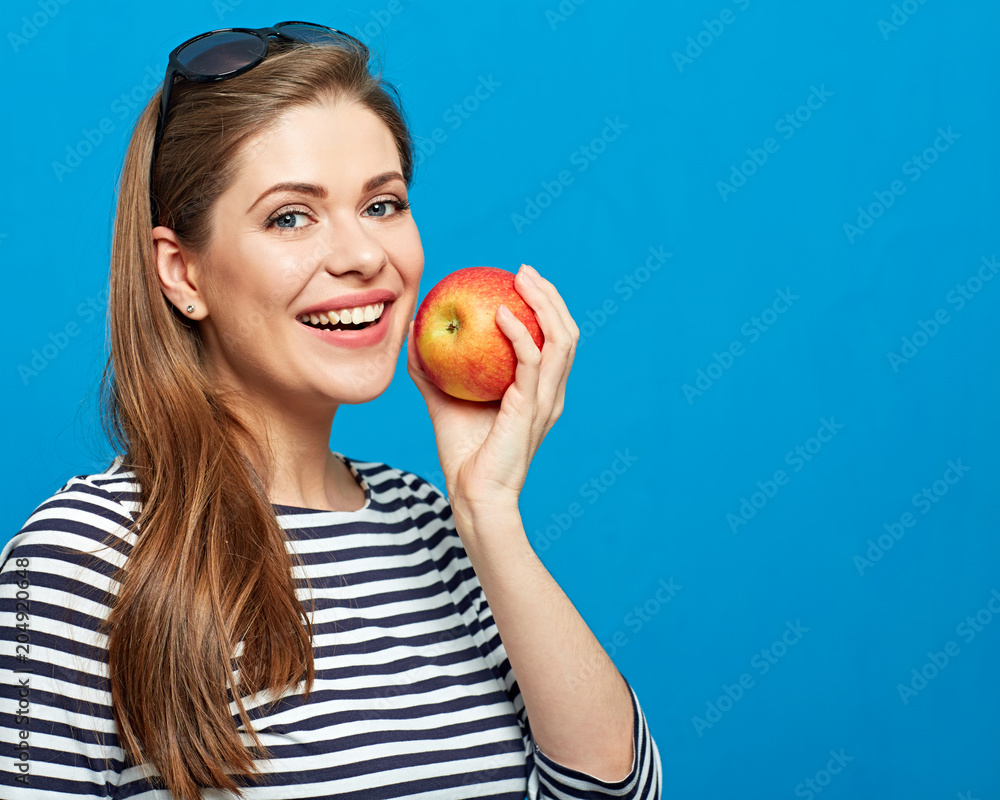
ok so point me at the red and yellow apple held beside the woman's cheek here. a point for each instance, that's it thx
(459, 344)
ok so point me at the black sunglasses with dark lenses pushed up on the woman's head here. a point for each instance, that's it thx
(228, 52)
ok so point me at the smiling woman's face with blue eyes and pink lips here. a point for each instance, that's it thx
(315, 221)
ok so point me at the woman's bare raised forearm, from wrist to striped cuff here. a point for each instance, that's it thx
(576, 700)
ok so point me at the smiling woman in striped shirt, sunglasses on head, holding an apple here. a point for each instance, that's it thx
(231, 607)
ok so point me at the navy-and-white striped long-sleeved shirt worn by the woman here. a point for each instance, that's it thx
(414, 695)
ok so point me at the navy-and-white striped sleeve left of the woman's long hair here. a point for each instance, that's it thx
(57, 733)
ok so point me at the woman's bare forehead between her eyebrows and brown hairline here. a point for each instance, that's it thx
(337, 144)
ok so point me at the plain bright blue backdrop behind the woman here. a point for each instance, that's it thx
(695, 92)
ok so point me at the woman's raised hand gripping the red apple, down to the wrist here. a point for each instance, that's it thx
(485, 448)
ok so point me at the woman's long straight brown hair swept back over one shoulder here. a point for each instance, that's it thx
(209, 568)
